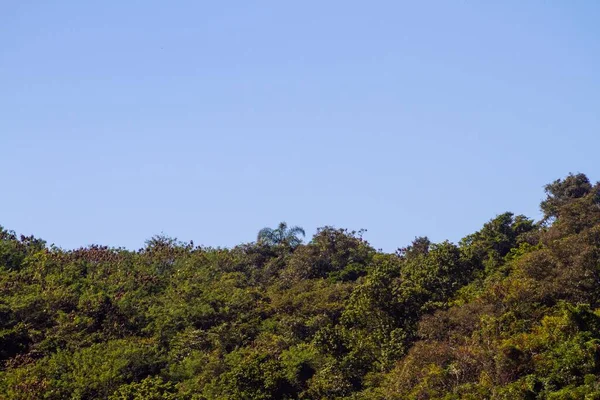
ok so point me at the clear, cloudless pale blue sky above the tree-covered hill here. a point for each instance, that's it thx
(208, 120)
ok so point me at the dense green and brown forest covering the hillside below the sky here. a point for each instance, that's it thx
(511, 312)
